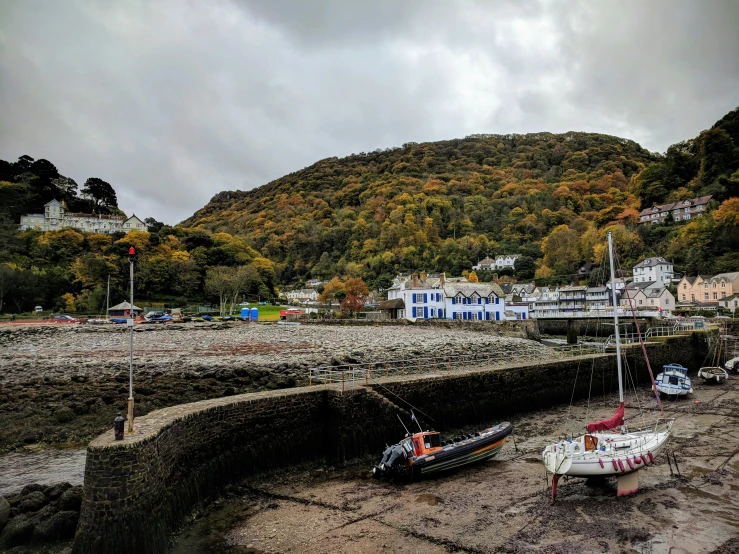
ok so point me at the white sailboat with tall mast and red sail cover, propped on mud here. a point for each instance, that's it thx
(609, 449)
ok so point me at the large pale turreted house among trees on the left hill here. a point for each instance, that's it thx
(55, 218)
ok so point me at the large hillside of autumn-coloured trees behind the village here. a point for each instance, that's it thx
(444, 205)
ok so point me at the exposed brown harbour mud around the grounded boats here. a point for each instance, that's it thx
(503, 505)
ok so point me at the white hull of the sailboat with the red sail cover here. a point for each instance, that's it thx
(623, 454)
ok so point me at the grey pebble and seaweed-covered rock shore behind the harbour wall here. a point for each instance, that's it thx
(66, 383)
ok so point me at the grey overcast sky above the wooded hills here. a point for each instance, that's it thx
(174, 101)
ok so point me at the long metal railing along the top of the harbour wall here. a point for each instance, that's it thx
(363, 373)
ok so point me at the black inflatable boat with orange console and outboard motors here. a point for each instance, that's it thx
(424, 453)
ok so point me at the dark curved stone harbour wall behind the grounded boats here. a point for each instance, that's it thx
(140, 490)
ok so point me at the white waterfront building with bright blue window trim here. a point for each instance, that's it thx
(438, 298)
